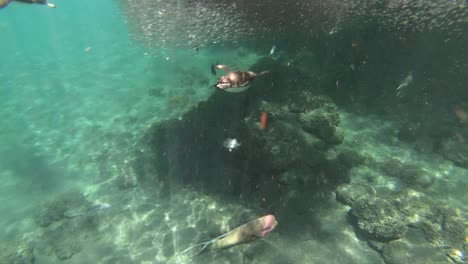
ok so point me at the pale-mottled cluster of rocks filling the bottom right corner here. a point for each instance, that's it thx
(406, 226)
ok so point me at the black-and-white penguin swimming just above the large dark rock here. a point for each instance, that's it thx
(234, 81)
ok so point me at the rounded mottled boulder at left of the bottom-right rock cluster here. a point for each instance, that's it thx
(378, 218)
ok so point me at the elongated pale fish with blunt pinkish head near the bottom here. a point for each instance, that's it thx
(248, 232)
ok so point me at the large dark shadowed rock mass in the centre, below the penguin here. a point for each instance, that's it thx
(298, 145)
